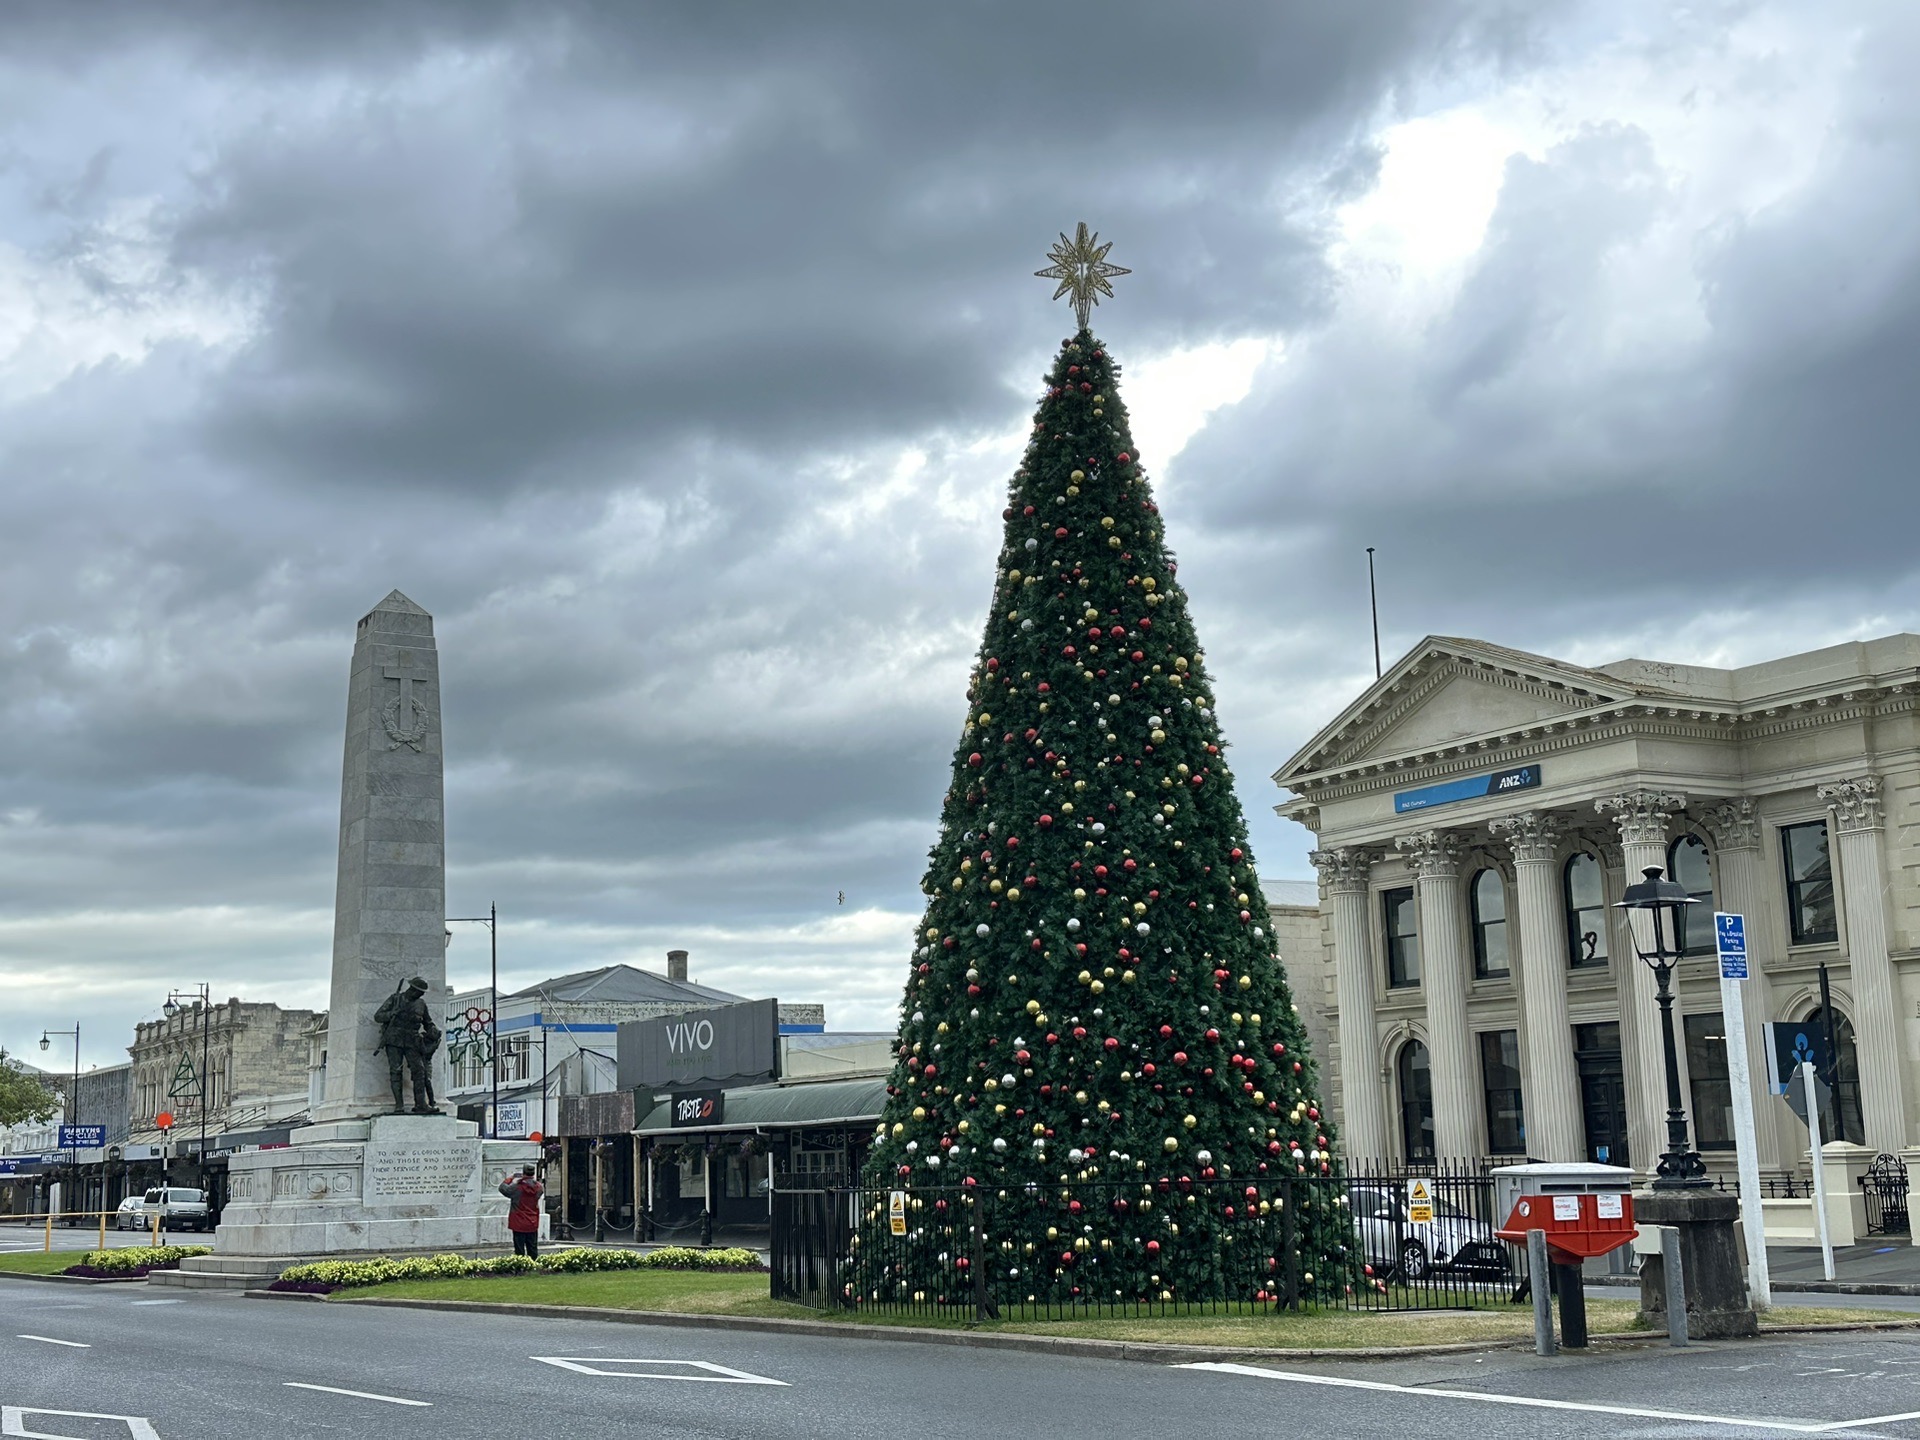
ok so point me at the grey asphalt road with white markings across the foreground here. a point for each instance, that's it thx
(224, 1366)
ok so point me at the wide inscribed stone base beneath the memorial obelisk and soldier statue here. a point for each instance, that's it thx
(354, 1188)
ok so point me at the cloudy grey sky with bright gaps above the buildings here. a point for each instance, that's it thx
(677, 358)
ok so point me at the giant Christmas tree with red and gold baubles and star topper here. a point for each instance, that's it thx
(1097, 1036)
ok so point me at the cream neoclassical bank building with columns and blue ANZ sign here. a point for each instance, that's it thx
(1479, 811)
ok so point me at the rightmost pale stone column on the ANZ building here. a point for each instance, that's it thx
(1877, 1019)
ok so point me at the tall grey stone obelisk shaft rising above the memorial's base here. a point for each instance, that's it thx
(391, 901)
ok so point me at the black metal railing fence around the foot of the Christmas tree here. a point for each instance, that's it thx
(1147, 1247)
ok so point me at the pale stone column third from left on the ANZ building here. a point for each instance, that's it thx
(1556, 1126)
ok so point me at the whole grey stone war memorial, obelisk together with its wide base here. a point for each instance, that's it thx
(372, 1174)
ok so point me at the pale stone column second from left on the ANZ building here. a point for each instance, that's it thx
(1460, 1122)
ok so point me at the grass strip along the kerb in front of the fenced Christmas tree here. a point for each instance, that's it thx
(746, 1295)
